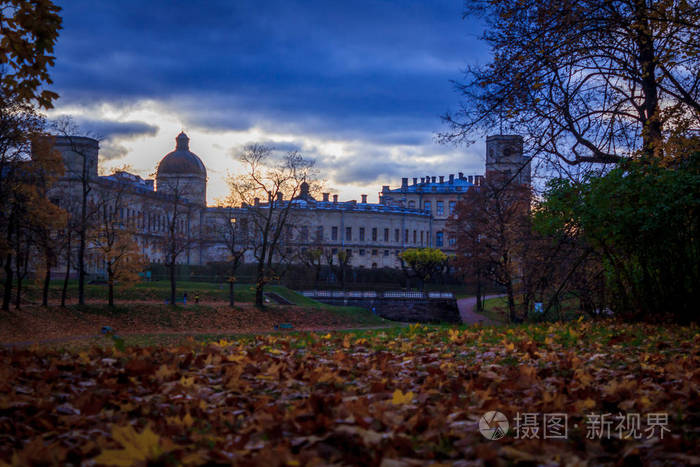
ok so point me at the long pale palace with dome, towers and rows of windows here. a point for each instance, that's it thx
(174, 206)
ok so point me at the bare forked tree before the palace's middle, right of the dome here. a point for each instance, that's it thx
(268, 179)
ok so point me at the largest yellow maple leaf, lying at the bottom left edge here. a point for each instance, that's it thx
(137, 447)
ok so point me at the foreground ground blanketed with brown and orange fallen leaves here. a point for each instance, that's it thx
(402, 396)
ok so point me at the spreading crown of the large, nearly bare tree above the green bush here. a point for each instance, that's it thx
(589, 81)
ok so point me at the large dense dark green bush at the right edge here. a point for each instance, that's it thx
(643, 220)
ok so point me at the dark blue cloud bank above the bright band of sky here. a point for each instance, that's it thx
(365, 70)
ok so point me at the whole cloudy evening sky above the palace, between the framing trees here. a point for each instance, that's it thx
(359, 87)
